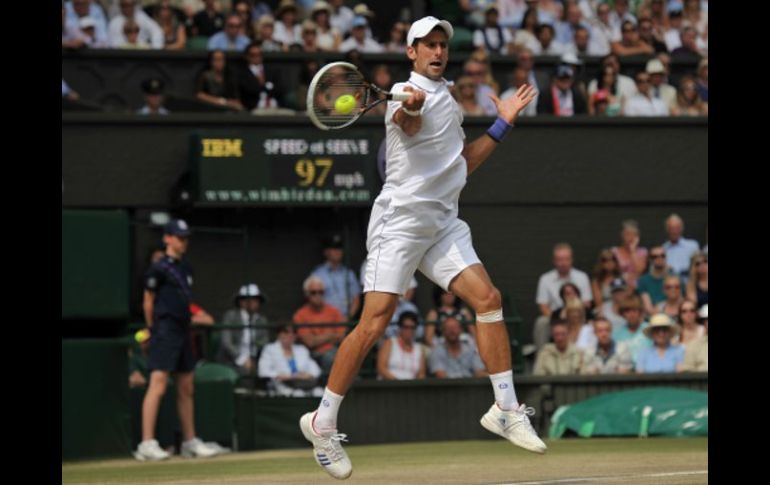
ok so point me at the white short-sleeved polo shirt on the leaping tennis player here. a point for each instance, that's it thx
(426, 171)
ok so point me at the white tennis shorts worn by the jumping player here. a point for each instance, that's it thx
(400, 241)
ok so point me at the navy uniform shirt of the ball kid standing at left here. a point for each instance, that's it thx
(171, 281)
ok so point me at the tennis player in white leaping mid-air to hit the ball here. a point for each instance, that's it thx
(414, 225)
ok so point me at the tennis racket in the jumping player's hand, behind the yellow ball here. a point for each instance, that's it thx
(340, 79)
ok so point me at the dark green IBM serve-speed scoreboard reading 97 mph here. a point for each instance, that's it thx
(284, 167)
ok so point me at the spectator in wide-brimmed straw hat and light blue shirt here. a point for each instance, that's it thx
(662, 356)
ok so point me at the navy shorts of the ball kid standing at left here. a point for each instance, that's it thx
(170, 347)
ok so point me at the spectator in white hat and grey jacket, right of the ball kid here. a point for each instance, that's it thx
(239, 347)
